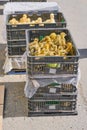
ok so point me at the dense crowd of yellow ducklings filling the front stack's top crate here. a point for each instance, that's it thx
(51, 45)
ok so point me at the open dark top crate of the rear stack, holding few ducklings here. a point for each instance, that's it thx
(59, 19)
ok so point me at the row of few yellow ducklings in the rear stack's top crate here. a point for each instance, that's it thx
(26, 20)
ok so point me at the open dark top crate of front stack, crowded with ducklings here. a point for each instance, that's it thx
(37, 33)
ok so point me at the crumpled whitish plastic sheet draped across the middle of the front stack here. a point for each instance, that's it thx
(32, 86)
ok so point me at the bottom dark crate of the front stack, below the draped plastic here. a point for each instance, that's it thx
(51, 105)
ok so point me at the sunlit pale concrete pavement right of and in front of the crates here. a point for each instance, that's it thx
(75, 13)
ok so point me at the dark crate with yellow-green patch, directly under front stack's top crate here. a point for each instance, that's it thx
(48, 69)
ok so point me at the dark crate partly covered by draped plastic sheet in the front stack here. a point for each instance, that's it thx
(55, 91)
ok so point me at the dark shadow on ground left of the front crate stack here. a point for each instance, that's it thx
(16, 104)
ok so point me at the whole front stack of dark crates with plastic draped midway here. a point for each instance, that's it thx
(52, 80)
